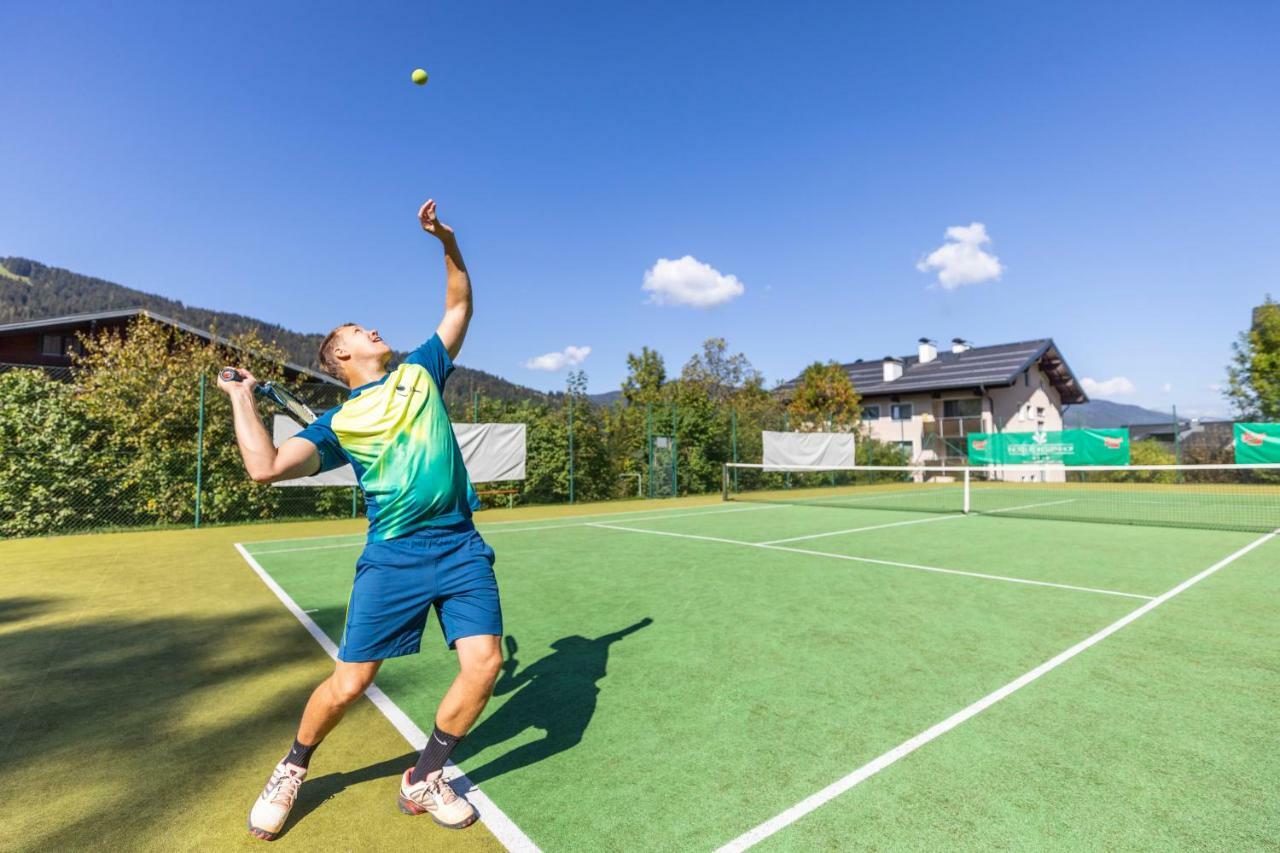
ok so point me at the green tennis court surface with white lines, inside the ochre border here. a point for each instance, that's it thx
(756, 674)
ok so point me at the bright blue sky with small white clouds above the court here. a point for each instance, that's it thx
(1123, 161)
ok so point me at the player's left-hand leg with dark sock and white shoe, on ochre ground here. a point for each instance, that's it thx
(326, 708)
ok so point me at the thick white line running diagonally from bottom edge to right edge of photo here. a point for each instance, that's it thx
(906, 749)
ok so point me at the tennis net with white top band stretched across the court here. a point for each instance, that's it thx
(1227, 498)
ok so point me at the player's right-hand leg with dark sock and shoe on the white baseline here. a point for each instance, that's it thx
(423, 788)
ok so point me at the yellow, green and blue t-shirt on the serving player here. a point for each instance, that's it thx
(396, 434)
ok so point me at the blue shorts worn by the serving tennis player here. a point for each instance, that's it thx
(399, 581)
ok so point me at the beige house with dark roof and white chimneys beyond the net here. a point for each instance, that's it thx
(929, 403)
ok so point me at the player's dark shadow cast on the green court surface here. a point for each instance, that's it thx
(556, 694)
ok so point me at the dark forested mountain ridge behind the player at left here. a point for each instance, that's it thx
(33, 291)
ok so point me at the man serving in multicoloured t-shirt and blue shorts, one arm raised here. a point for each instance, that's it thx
(422, 548)
